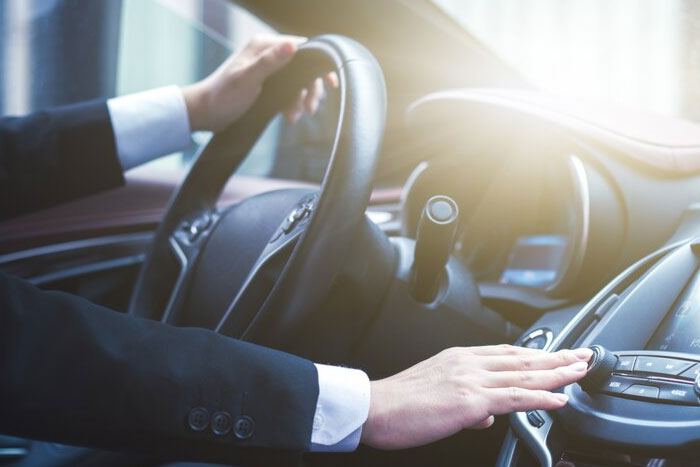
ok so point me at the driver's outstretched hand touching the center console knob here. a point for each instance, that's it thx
(464, 387)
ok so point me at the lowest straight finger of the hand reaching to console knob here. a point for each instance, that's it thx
(514, 399)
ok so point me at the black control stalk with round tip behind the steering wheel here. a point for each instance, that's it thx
(434, 242)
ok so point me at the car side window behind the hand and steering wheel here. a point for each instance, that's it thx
(55, 52)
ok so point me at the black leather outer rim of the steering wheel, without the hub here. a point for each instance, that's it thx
(308, 275)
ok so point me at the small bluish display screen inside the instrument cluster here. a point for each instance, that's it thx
(535, 260)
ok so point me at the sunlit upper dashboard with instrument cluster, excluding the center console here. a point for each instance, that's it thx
(568, 199)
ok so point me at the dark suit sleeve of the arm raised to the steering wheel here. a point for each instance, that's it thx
(56, 155)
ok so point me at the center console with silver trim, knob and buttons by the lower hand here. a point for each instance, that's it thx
(639, 403)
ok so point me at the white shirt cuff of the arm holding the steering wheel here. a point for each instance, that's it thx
(149, 124)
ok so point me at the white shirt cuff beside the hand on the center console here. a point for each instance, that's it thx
(341, 410)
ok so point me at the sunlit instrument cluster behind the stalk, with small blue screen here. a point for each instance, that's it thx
(516, 229)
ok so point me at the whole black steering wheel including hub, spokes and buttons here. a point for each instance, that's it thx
(304, 234)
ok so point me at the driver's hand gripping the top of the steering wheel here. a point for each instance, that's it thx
(224, 96)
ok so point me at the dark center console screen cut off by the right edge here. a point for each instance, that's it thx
(680, 329)
